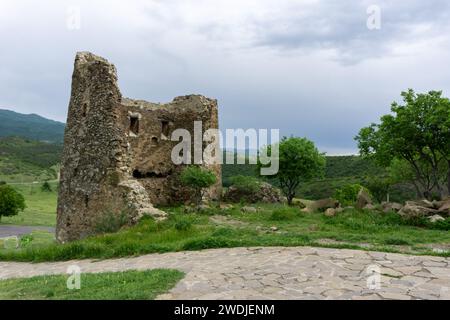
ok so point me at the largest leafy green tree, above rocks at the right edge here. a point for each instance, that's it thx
(417, 132)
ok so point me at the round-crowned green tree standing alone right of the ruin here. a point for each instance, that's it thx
(299, 161)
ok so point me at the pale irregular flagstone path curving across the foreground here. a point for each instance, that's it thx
(277, 273)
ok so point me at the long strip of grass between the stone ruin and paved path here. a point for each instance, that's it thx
(273, 225)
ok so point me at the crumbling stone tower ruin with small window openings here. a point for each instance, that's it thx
(117, 151)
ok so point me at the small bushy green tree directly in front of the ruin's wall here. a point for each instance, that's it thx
(198, 179)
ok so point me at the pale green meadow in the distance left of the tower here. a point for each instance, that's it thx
(41, 206)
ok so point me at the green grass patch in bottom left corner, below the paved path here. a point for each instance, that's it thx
(129, 285)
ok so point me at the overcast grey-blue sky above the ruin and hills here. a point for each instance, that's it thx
(310, 68)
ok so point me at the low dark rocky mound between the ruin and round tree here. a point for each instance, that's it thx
(266, 194)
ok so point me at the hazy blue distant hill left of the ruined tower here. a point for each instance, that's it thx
(30, 126)
